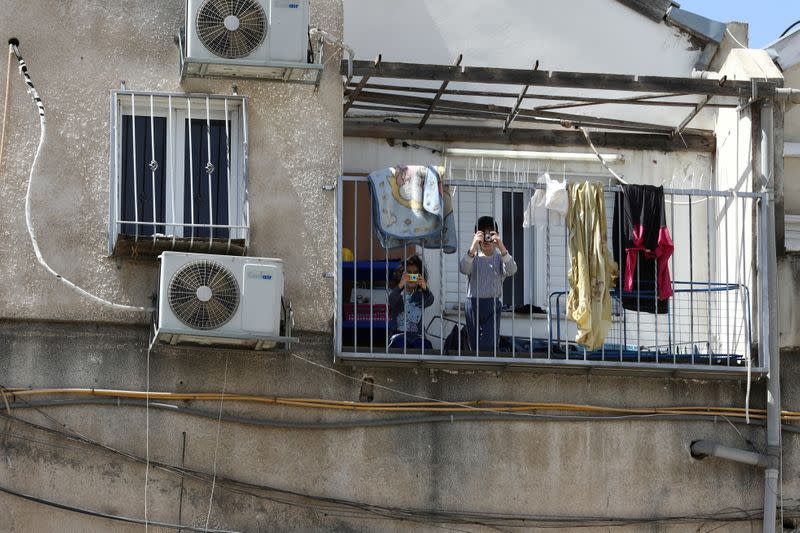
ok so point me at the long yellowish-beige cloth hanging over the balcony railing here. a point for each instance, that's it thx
(592, 273)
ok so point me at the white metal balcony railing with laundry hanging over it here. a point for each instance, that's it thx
(707, 326)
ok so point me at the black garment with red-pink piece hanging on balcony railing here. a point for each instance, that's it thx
(642, 247)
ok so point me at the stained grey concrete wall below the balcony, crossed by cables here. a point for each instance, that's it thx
(610, 468)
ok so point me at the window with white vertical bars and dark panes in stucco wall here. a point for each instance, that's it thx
(178, 173)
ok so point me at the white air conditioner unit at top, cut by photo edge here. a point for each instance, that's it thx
(246, 38)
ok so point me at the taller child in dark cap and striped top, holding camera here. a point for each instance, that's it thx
(486, 264)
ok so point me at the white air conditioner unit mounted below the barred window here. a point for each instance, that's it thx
(217, 300)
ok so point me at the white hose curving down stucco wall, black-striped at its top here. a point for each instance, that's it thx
(23, 69)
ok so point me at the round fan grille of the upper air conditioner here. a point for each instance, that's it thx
(231, 28)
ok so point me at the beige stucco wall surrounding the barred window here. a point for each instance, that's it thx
(77, 53)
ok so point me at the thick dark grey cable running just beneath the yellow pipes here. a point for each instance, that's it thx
(387, 422)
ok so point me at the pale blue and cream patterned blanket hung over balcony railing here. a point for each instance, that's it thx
(410, 205)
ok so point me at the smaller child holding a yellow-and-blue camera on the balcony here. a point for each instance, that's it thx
(407, 302)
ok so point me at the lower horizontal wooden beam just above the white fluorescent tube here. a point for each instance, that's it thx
(548, 137)
